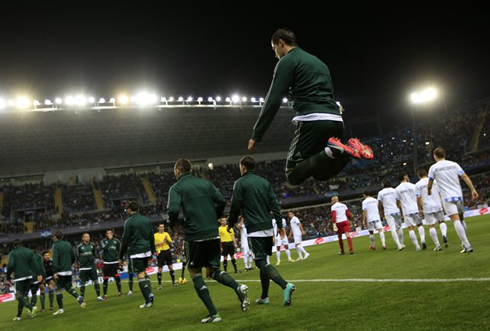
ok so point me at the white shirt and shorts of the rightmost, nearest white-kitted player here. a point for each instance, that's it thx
(447, 174)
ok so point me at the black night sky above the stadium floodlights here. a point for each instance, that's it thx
(377, 53)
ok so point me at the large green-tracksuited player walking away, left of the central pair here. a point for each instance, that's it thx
(202, 205)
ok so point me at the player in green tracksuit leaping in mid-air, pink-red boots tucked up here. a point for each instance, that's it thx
(307, 82)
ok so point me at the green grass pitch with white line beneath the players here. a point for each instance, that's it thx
(332, 293)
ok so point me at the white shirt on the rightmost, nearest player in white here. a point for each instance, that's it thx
(447, 174)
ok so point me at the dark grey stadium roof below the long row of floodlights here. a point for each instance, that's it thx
(39, 142)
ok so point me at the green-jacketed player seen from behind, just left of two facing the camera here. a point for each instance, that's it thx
(63, 259)
